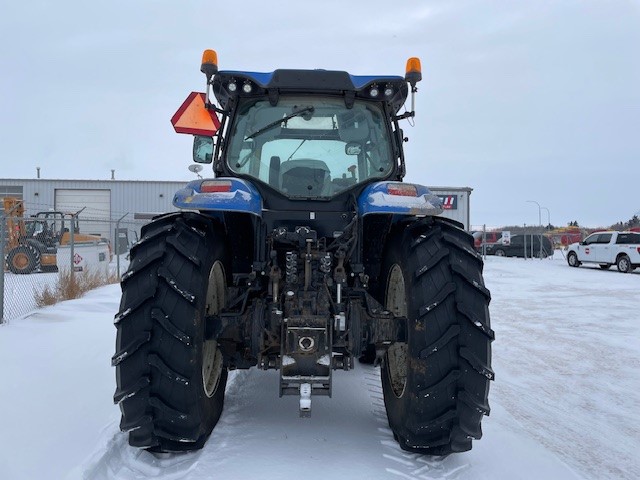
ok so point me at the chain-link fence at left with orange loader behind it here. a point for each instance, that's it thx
(42, 254)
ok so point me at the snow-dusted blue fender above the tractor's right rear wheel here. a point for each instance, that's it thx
(398, 198)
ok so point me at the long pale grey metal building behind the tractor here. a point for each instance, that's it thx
(132, 203)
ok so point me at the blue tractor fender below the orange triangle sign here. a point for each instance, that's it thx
(222, 194)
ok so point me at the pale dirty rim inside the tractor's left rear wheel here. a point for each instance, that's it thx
(211, 355)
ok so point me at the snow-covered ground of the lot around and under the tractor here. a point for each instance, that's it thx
(565, 403)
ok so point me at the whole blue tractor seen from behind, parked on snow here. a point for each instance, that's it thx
(305, 252)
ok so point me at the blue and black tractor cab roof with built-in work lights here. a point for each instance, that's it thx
(327, 82)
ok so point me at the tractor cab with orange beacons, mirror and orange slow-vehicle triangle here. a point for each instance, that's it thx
(300, 135)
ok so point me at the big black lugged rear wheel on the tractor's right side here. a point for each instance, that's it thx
(436, 385)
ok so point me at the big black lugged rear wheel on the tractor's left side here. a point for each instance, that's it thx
(170, 376)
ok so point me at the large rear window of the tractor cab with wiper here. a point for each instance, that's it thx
(309, 147)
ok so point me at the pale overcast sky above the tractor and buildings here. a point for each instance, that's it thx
(536, 100)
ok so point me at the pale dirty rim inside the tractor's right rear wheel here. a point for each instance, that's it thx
(397, 355)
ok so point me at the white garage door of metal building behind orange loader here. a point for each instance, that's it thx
(96, 216)
